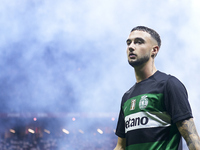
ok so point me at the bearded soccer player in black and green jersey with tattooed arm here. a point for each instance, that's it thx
(155, 112)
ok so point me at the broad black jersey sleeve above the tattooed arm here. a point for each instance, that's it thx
(176, 100)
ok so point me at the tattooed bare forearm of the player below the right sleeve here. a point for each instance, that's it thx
(188, 131)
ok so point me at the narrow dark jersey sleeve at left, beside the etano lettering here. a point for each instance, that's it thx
(120, 131)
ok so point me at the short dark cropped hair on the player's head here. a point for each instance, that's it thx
(152, 32)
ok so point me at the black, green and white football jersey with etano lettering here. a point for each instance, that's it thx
(149, 111)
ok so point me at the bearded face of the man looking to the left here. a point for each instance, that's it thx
(139, 48)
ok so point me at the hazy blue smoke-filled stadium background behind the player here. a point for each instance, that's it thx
(63, 67)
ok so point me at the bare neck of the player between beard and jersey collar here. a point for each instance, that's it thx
(144, 72)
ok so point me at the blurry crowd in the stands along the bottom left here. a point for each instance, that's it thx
(102, 142)
